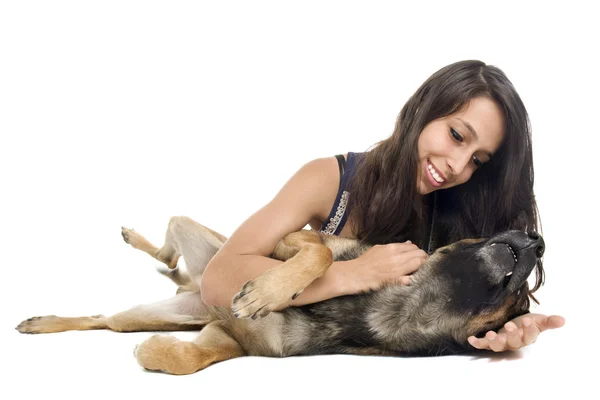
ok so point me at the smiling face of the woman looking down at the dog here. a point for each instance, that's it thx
(453, 147)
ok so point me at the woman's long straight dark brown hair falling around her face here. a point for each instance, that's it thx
(385, 204)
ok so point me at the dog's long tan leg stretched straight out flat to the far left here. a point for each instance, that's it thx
(182, 312)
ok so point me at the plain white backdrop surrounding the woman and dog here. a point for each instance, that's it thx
(127, 112)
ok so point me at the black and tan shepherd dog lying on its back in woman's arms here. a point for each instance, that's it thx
(463, 289)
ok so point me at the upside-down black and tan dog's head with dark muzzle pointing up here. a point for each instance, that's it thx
(477, 285)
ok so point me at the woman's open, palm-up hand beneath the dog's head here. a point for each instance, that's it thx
(520, 332)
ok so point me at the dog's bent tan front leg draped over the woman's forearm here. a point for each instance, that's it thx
(278, 286)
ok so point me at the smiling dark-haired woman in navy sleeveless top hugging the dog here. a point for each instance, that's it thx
(459, 164)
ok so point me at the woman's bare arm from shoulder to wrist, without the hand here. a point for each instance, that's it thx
(309, 194)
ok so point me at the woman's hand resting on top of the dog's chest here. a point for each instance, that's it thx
(381, 264)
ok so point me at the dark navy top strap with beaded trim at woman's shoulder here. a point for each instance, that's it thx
(339, 212)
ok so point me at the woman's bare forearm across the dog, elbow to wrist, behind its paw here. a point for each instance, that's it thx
(225, 276)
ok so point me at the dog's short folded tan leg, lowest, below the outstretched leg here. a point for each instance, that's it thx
(169, 354)
